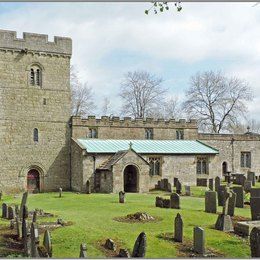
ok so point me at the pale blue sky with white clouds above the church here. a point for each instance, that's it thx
(110, 39)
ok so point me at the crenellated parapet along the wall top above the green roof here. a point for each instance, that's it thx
(136, 122)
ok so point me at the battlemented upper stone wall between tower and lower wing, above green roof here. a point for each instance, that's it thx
(127, 128)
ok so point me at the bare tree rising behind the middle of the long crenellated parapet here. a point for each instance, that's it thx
(141, 94)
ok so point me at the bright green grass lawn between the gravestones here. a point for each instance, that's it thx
(92, 216)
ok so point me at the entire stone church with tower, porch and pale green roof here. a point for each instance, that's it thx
(44, 148)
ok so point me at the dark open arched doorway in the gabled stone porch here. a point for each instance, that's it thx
(130, 178)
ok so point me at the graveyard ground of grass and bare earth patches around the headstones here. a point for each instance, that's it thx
(93, 218)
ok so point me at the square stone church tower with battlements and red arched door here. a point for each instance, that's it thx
(35, 103)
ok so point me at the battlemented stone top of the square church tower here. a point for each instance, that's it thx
(33, 42)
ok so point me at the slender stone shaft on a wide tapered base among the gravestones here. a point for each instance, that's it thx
(224, 222)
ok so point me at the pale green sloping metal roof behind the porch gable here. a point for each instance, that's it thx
(147, 146)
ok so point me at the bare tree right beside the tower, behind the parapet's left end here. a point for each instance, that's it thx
(81, 95)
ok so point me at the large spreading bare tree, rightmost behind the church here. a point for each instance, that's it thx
(216, 100)
